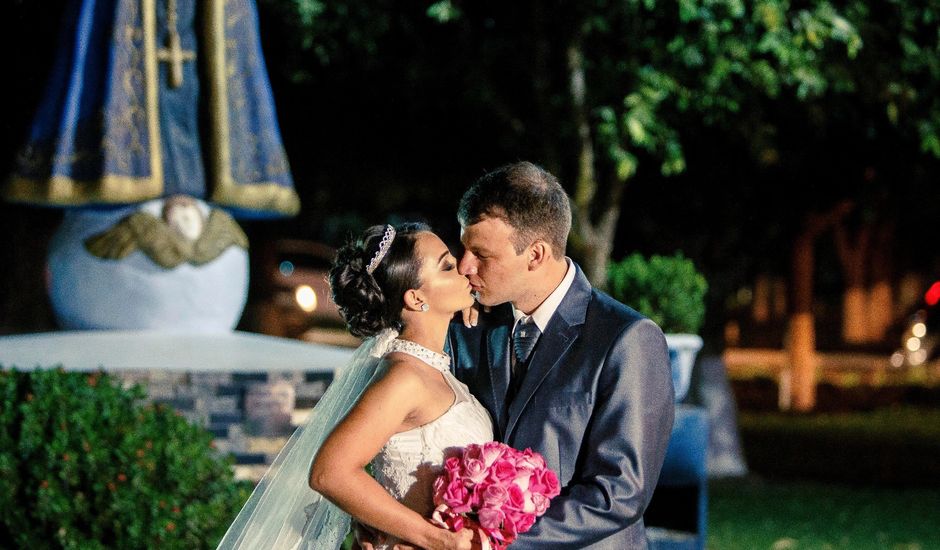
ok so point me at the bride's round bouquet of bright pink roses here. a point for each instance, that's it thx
(495, 489)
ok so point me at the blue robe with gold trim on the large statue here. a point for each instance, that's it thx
(116, 126)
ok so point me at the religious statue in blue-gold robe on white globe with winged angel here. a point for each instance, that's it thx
(154, 103)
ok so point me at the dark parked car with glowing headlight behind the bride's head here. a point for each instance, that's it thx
(295, 287)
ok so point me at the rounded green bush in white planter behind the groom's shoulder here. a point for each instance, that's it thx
(667, 289)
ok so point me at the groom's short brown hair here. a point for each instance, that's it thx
(525, 196)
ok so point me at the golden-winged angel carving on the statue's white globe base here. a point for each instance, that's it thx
(181, 234)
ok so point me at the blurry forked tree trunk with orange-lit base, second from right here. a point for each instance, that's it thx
(853, 256)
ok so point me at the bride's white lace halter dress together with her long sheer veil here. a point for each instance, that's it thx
(284, 513)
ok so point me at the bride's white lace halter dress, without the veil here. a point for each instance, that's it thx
(410, 462)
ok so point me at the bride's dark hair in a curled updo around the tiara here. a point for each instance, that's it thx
(371, 302)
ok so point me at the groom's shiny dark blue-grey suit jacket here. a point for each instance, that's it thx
(596, 402)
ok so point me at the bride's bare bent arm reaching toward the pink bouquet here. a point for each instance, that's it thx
(338, 472)
